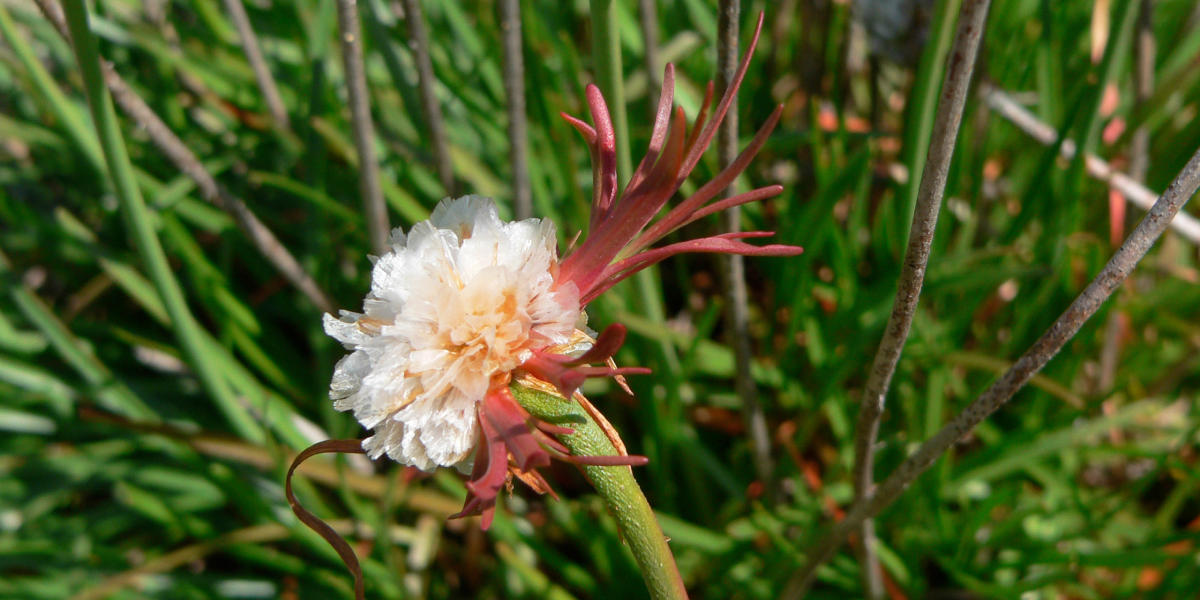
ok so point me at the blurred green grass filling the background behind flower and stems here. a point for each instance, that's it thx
(129, 443)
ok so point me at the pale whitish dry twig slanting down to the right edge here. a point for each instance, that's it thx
(1005, 106)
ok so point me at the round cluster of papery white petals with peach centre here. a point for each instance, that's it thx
(454, 308)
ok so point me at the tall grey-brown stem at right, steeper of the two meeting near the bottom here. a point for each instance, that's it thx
(913, 274)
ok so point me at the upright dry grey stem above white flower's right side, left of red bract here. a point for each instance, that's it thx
(514, 86)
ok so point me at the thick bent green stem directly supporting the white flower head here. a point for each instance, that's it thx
(619, 489)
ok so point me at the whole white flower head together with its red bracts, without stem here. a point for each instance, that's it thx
(466, 302)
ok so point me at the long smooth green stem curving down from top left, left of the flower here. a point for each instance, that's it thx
(141, 229)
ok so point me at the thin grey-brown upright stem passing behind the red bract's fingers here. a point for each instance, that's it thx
(739, 311)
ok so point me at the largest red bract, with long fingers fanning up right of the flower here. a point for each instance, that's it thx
(620, 231)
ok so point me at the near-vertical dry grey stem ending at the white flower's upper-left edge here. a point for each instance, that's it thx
(364, 130)
